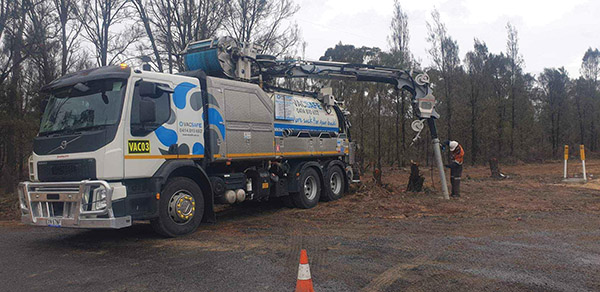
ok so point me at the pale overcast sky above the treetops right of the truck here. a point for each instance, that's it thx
(552, 33)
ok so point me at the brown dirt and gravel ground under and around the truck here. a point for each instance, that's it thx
(529, 232)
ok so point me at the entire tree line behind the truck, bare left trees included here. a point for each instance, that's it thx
(487, 102)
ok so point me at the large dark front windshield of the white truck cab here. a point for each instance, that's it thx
(83, 106)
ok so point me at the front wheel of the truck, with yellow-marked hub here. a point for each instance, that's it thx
(181, 207)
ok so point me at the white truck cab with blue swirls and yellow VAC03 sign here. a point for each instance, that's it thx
(103, 136)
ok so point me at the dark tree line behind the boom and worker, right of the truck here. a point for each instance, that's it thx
(487, 101)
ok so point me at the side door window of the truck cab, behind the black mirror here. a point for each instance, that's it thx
(163, 113)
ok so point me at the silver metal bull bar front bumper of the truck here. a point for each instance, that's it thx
(83, 204)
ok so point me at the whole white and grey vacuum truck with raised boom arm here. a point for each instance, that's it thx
(118, 144)
